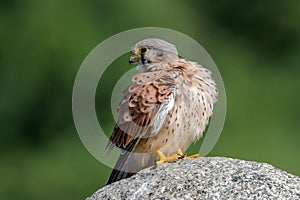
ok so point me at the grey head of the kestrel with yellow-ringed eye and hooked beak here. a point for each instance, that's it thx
(151, 51)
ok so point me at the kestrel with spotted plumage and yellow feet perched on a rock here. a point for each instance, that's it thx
(167, 107)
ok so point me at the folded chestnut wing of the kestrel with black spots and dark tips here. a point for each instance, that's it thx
(144, 108)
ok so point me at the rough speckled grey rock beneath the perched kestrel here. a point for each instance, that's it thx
(205, 178)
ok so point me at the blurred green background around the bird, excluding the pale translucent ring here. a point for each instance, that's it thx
(255, 44)
